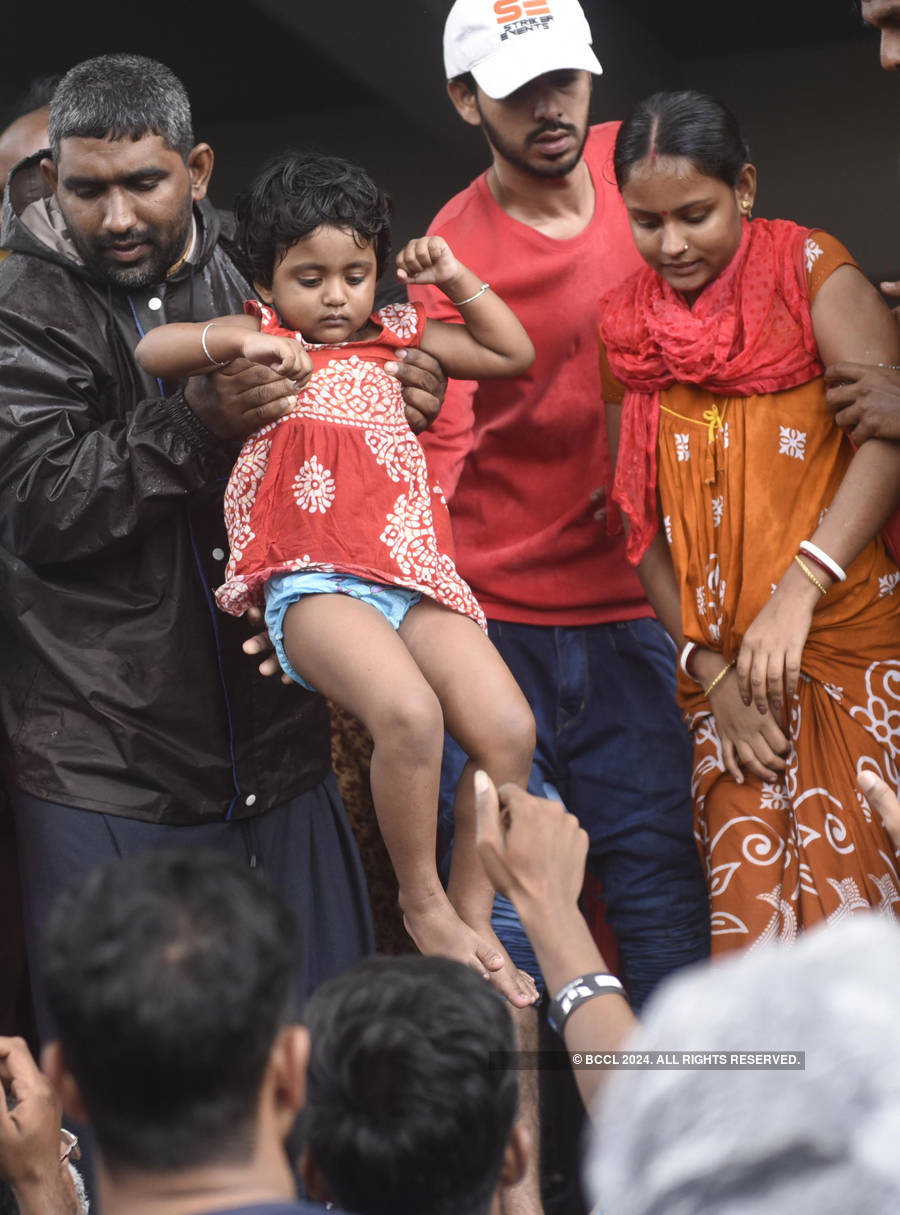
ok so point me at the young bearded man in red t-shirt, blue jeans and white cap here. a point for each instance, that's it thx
(520, 461)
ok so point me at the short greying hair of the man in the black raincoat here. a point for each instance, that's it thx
(121, 98)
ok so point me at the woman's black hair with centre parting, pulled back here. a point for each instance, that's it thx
(688, 125)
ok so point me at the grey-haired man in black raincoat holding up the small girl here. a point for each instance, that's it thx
(132, 716)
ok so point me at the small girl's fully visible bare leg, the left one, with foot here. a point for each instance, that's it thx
(349, 652)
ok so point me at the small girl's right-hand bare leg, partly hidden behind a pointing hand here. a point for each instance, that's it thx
(488, 715)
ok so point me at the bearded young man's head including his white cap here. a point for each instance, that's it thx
(523, 72)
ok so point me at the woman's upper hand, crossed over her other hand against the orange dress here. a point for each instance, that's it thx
(769, 663)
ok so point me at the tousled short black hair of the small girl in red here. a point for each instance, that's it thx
(298, 193)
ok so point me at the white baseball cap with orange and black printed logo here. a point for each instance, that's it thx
(507, 43)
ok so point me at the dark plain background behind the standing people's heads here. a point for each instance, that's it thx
(366, 82)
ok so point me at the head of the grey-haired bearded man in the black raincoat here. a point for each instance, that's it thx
(124, 169)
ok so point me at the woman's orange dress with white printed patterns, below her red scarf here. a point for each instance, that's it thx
(743, 482)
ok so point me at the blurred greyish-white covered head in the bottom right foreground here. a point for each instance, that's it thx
(819, 1141)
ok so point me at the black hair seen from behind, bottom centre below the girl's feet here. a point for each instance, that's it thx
(405, 1114)
